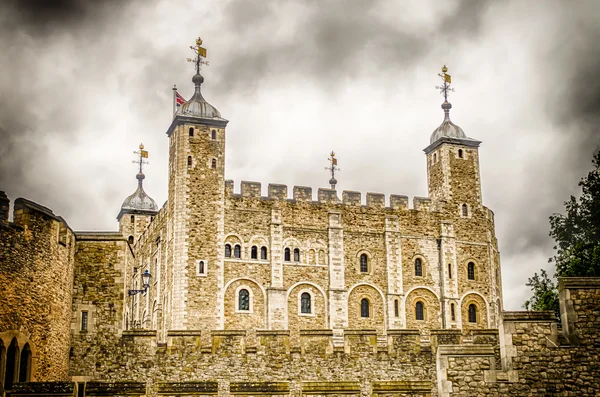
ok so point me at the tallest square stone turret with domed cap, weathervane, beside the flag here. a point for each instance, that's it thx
(196, 200)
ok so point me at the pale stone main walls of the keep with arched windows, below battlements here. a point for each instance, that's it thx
(330, 236)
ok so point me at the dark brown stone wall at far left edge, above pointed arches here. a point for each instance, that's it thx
(36, 279)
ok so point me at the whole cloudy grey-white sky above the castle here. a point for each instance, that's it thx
(84, 82)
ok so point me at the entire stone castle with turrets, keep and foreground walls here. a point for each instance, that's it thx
(219, 293)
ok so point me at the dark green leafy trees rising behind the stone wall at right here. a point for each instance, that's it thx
(577, 237)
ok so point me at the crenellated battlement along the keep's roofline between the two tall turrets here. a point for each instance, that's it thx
(249, 189)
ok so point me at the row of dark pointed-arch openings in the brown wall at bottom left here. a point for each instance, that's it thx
(15, 365)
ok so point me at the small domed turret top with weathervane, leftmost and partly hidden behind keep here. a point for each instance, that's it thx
(137, 209)
